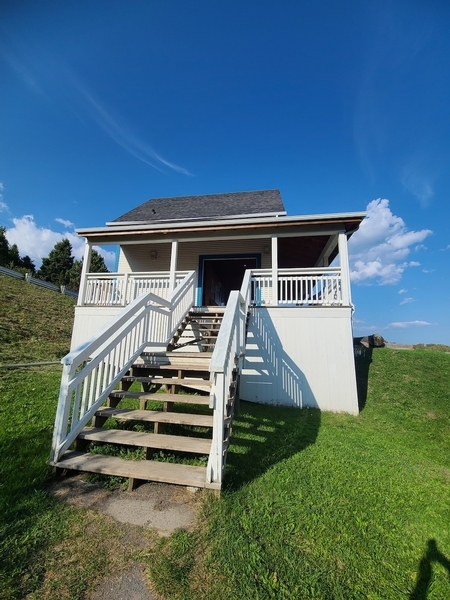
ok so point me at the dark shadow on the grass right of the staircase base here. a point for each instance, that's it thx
(264, 436)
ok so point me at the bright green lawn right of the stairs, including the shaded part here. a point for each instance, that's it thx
(331, 506)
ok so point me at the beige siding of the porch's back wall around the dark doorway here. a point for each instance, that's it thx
(136, 258)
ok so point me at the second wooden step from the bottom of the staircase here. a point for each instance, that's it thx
(146, 440)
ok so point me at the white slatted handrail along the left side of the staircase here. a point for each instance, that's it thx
(94, 369)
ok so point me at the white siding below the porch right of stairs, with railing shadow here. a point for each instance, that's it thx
(300, 357)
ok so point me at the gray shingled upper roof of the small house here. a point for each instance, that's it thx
(211, 206)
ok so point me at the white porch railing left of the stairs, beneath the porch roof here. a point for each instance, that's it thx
(119, 289)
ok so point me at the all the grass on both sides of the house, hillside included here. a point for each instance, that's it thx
(315, 505)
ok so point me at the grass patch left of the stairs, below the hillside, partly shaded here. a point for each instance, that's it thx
(48, 549)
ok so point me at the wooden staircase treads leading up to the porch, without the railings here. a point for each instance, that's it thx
(161, 408)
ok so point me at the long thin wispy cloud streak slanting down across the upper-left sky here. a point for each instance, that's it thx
(52, 79)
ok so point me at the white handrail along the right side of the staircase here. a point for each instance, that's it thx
(227, 356)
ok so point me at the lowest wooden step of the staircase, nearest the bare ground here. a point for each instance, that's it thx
(145, 470)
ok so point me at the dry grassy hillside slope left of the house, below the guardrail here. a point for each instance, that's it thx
(35, 323)
